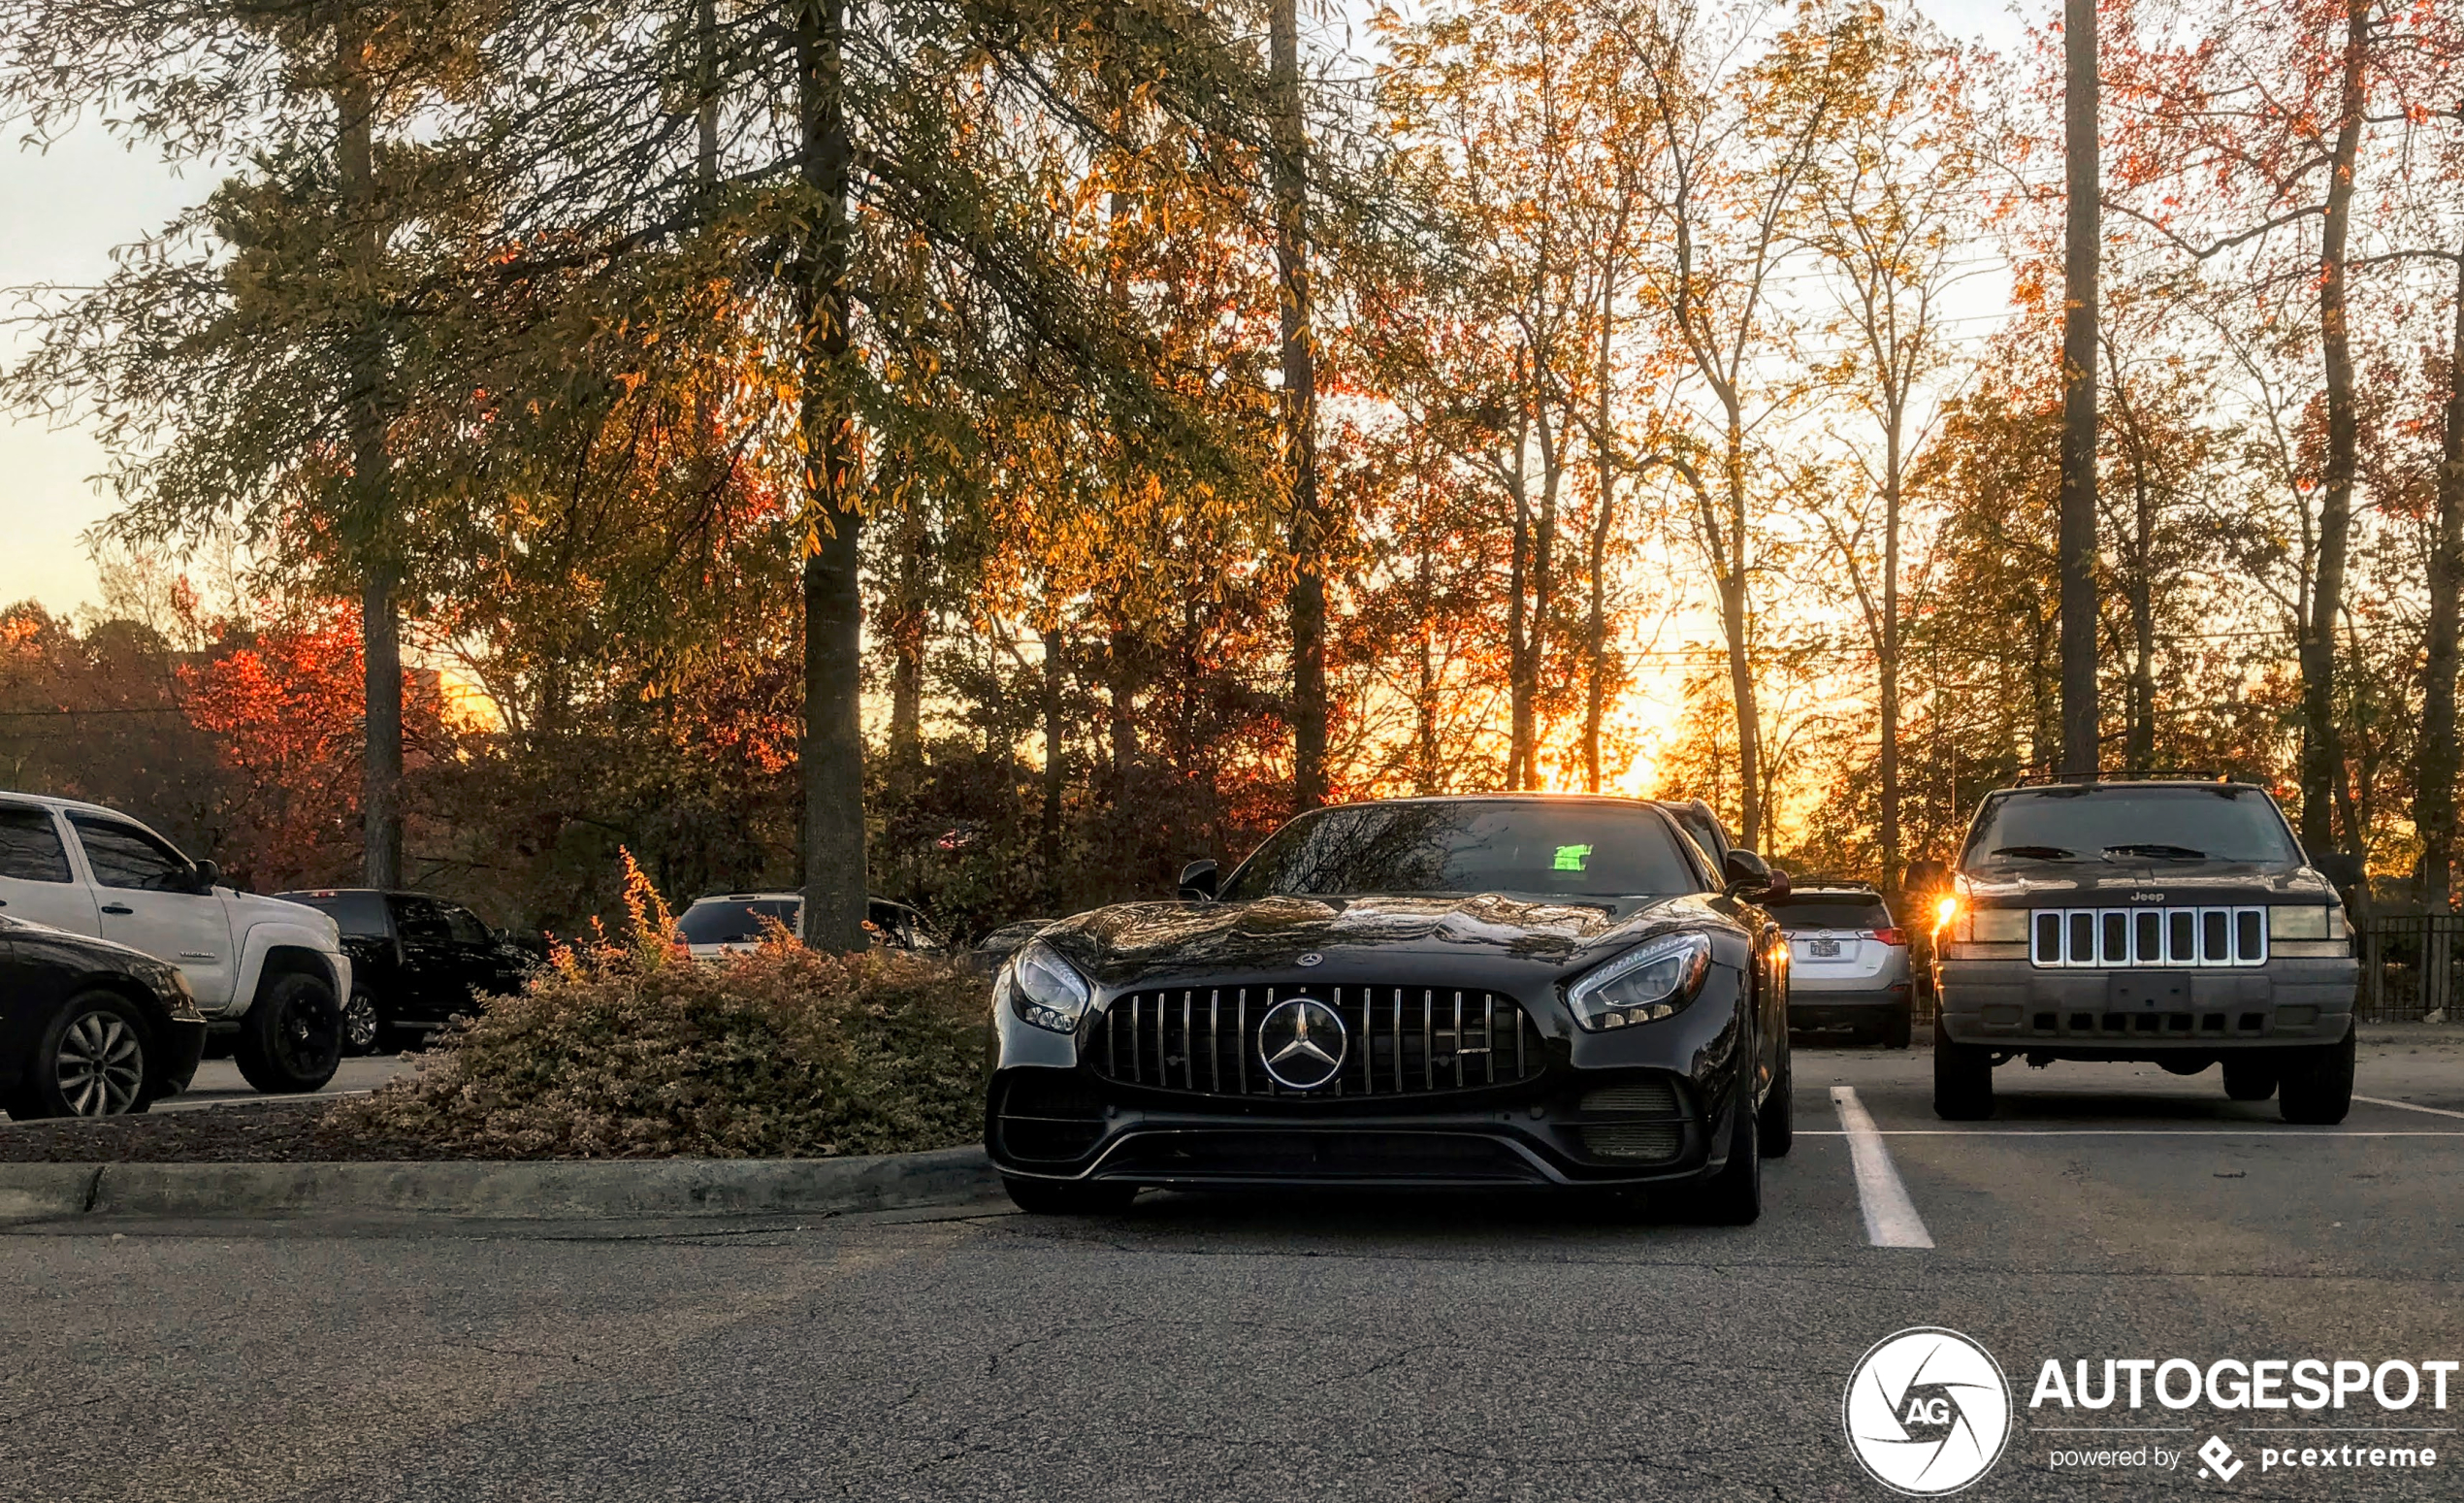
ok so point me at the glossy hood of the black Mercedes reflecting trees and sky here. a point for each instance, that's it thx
(1130, 942)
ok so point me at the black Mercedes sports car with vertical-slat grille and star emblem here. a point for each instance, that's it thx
(1423, 992)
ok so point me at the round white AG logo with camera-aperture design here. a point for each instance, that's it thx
(1928, 1411)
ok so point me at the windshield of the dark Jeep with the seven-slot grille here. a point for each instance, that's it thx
(2130, 824)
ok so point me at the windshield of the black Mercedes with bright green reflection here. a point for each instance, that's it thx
(1443, 849)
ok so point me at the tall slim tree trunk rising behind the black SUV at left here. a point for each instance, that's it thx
(373, 479)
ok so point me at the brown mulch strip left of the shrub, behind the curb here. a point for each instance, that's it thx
(282, 1132)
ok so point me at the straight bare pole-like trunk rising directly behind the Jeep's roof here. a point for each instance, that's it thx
(2078, 524)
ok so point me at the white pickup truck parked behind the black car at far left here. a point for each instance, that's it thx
(267, 974)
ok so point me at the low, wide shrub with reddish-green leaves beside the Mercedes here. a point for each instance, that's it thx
(630, 1051)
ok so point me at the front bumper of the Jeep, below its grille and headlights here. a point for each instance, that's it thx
(2130, 1014)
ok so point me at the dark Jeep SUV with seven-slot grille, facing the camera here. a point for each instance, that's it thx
(2160, 920)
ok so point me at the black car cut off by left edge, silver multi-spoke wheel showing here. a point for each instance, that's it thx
(90, 1029)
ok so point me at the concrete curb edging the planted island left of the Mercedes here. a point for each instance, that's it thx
(504, 1191)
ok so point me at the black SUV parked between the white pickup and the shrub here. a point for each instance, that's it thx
(415, 962)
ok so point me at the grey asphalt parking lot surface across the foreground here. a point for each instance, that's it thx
(1302, 1347)
